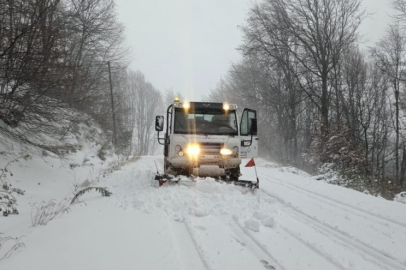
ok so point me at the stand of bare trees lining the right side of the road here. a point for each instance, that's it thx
(321, 99)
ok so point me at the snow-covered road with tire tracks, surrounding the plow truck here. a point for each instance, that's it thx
(292, 222)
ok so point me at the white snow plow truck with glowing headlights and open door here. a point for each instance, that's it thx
(206, 139)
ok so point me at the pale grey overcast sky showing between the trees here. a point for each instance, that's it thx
(187, 45)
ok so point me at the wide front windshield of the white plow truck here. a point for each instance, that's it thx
(205, 121)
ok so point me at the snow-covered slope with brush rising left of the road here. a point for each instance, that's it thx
(45, 177)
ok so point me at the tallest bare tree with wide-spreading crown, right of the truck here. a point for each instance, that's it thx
(318, 32)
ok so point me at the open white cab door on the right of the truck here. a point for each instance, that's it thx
(247, 149)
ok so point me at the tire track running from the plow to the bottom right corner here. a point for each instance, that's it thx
(344, 238)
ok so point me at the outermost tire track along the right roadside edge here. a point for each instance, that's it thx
(352, 207)
